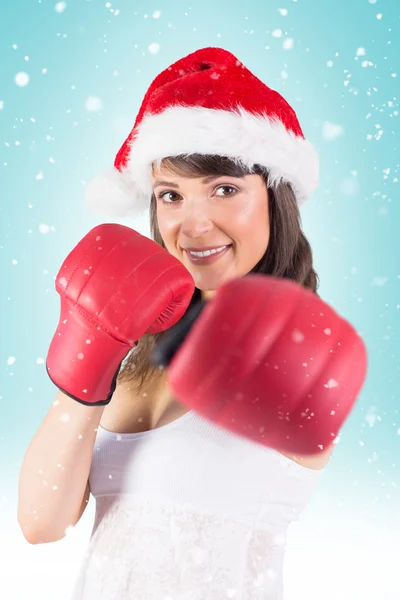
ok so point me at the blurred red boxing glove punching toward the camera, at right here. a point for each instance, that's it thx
(270, 361)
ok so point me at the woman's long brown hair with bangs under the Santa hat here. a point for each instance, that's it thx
(288, 254)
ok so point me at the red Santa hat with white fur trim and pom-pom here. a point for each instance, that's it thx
(207, 103)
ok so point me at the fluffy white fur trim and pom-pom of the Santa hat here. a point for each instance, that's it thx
(239, 135)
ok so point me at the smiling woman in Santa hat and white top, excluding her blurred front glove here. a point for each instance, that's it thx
(185, 509)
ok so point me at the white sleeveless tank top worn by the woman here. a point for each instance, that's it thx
(189, 511)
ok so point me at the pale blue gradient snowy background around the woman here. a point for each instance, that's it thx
(52, 144)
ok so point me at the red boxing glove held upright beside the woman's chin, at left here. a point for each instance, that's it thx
(115, 286)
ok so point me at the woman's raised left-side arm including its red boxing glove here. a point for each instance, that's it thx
(114, 286)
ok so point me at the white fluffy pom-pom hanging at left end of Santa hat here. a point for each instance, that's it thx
(113, 194)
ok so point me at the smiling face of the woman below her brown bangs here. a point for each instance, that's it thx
(218, 226)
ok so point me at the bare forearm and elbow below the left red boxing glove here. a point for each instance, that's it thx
(53, 488)
